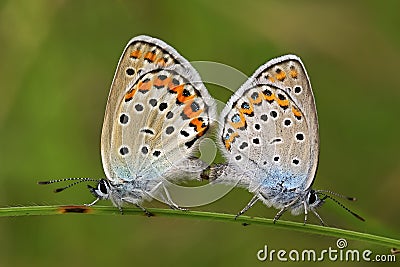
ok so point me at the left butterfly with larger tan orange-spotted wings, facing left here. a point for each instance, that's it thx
(157, 111)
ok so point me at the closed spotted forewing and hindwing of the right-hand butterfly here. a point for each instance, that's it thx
(269, 128)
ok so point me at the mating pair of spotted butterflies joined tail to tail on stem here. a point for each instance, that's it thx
(158, 110)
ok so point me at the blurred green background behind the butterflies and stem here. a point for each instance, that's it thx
(57, 63)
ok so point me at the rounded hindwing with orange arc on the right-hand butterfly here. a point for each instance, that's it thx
(266, 136)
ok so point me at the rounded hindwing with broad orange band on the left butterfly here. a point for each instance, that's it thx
(158, 123)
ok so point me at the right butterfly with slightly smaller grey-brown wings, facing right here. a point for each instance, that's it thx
(269, 135)
